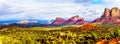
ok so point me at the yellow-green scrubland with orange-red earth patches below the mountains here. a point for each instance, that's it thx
(70, 34)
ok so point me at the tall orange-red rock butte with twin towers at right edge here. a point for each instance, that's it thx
(110, 16)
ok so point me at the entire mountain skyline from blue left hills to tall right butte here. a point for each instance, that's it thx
(109, 16)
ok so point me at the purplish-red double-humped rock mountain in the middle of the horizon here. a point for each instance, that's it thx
(73, 20)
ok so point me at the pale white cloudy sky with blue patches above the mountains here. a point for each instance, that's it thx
(50, 9)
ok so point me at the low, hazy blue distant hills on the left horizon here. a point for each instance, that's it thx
(26, 23)
